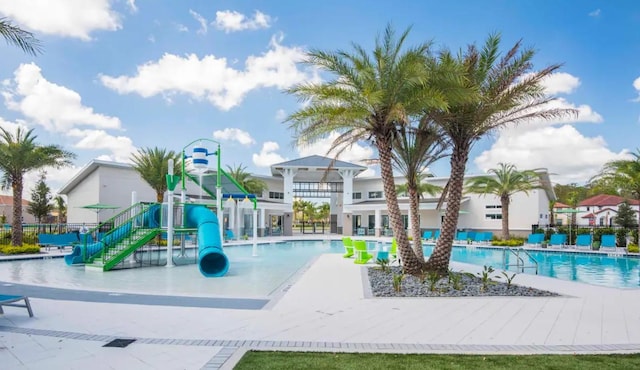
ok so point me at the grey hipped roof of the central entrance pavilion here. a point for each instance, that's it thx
(316, 168)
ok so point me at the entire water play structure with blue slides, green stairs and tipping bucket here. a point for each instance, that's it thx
(125, 239)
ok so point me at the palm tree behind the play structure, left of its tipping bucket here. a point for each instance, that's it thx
(153, 165)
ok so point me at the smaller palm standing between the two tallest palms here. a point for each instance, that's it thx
(414, 150)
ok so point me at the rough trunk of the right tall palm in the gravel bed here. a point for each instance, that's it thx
(439, 260)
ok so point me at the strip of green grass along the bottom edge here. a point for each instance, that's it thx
(325, 360)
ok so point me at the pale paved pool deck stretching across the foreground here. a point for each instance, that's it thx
(328, 308)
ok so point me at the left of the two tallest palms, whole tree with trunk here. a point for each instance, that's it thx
(369, 97)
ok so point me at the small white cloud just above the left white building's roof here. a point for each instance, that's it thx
(121, 147)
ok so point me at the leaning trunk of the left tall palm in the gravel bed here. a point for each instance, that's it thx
(410, 263)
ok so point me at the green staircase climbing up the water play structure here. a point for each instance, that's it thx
(113, 254)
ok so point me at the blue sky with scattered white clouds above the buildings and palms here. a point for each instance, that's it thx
(120, 75)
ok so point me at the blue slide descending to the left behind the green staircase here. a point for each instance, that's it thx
(150, 218)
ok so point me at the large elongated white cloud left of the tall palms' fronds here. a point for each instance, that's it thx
(213, 78)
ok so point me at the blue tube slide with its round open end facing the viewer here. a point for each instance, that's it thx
(212, 261)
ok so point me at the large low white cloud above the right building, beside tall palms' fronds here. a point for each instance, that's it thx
(564, 151)
